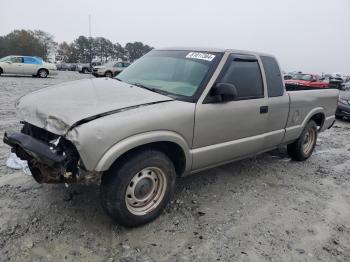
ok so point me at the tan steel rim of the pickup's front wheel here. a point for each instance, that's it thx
(145, 191)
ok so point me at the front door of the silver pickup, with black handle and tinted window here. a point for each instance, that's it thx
(225, 131)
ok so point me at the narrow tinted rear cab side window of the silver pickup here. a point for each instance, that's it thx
(274, 81)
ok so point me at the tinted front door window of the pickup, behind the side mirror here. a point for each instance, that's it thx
(245, 75)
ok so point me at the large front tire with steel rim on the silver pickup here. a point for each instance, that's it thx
(136, 190)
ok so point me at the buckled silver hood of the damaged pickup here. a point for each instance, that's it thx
(61, 107)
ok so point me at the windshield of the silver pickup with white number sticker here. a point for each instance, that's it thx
(178, 73)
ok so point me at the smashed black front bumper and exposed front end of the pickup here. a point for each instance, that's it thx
(51, 158)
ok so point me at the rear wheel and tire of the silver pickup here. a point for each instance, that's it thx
(302, 148)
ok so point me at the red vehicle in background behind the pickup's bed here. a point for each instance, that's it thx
(305, 81)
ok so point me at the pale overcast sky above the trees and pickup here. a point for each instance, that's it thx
(308, 35)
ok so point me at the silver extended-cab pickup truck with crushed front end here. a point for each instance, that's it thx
(172, 113)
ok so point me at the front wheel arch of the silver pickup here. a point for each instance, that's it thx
(170, 143)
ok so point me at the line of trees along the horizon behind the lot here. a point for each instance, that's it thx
(81, 50)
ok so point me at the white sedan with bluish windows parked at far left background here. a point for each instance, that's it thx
(26, 65)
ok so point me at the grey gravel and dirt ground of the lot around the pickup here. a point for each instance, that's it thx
(267, 208)
